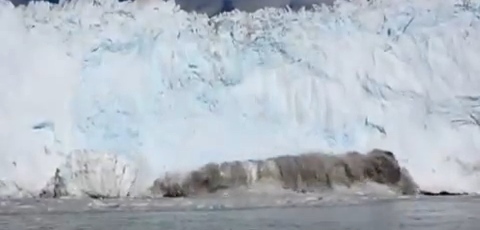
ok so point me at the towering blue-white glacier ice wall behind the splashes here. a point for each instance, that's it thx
(180, 90)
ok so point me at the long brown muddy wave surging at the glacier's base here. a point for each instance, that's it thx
(308, 172)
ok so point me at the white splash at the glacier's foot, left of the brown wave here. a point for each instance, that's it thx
(83, 173)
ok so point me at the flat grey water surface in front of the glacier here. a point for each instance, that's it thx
(437, 213)
